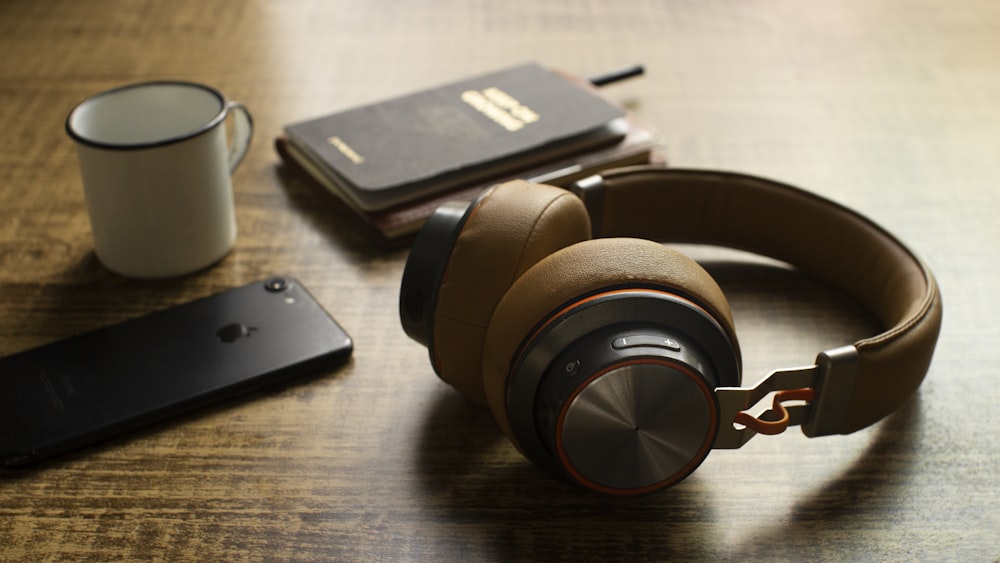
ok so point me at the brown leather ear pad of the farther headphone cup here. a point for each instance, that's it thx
(513, 227)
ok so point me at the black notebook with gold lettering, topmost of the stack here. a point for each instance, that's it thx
(391, 152)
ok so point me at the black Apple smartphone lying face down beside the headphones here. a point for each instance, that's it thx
(88, 387)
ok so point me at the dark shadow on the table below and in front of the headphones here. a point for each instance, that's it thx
(487, 502)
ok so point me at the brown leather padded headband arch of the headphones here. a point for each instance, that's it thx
(822, 238)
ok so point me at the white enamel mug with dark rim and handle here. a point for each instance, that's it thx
(156, 167)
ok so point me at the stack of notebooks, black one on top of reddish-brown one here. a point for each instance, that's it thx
(390, 164)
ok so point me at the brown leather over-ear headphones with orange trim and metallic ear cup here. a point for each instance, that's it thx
(614, 361)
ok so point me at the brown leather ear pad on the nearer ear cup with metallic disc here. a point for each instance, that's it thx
(578, 271)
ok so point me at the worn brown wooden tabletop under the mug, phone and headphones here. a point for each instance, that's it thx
(891, 107)
